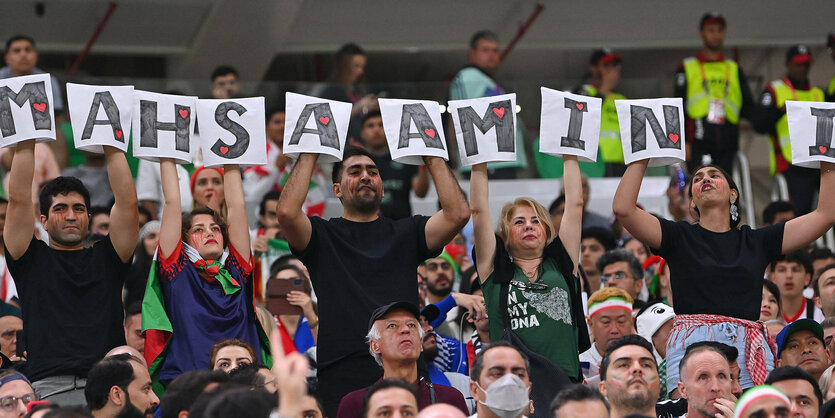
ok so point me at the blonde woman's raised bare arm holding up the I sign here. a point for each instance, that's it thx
(571, 228)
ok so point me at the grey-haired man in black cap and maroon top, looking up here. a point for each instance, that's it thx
(395, 341)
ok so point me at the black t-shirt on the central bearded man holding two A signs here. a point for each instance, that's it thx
(356, 267)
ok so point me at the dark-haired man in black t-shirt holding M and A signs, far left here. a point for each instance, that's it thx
(71, 295)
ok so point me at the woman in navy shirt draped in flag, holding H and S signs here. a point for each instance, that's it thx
(205, 280)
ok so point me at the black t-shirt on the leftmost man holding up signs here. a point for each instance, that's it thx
(72, 306)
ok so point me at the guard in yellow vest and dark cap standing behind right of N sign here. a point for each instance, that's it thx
(716, 95)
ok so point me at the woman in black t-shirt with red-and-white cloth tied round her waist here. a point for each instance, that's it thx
(716, 265)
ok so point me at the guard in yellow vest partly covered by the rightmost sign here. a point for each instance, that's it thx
(771, 119)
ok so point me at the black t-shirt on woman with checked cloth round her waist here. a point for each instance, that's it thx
(718, 273)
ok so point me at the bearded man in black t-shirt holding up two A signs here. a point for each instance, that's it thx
(362, 260)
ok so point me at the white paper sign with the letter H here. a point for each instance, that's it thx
(162, 126)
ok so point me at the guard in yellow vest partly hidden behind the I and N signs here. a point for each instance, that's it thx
(604, 68)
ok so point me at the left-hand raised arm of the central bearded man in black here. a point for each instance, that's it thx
(294, 223)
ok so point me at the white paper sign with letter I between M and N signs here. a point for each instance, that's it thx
(570, 124)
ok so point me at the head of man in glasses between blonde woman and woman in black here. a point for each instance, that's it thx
(619, 268)
